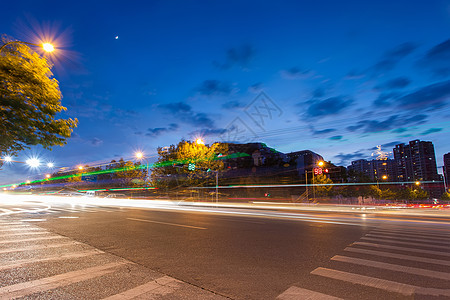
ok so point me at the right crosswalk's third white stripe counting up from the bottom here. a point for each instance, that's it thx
(392, 267)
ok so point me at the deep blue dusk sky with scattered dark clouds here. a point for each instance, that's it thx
(335, 77)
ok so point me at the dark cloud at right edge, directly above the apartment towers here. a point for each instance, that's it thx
(430, 97)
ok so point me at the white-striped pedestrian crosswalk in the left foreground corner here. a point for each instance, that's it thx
(39, 264)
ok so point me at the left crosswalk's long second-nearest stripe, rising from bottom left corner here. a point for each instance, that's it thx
(45, 284)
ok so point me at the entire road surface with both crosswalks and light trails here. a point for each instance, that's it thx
(73, 250)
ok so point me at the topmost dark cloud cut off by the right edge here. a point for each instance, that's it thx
(437, 59)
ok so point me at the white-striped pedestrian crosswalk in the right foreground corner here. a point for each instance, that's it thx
(401, 261)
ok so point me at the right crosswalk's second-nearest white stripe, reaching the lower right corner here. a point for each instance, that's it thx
(382, 284)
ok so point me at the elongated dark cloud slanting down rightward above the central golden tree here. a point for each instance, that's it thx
(184, 112)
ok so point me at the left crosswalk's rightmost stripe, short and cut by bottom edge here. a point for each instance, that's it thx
(147, 289)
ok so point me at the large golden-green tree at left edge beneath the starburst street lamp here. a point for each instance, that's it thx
(30, 99)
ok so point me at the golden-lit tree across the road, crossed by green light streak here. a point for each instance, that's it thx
(171, 169)
